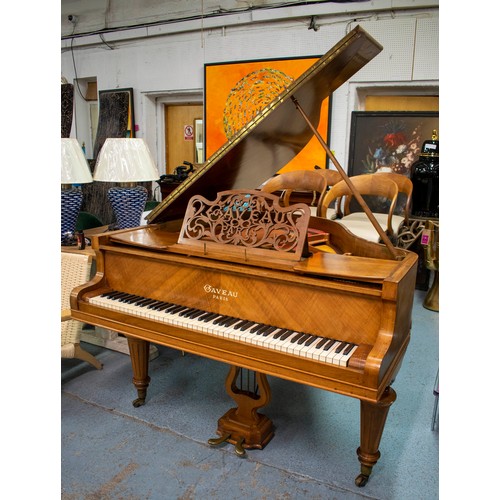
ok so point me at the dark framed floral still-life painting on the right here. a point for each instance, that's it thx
(388, 141)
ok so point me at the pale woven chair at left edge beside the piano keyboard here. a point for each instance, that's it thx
(75, 270)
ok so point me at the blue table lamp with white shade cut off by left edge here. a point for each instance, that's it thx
(74, 170)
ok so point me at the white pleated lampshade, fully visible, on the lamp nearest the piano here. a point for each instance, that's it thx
(125, 160)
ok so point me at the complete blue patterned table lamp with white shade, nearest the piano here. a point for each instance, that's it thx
(126, 161)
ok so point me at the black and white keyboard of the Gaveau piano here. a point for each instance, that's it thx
(331, 351)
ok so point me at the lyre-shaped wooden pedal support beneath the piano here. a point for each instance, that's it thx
(243, 426)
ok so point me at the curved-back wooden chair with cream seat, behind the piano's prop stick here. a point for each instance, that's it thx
(368, 185)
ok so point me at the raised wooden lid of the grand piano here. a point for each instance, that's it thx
(276, 134)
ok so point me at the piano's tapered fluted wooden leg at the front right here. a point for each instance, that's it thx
(373, 417)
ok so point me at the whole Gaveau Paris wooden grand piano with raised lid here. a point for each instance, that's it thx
(222, 271)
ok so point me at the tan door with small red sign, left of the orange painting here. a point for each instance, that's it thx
(181, 123)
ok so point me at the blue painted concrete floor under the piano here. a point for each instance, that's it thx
(111, 450)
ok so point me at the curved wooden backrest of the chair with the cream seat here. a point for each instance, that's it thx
(366, 185)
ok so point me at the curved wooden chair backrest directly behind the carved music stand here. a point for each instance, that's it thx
(297, 180)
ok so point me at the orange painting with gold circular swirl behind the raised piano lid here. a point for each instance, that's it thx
(236, 91)
